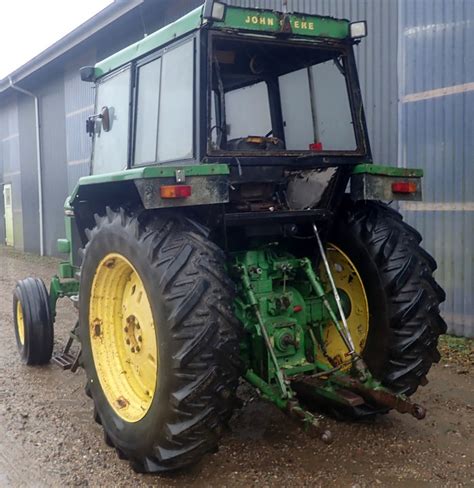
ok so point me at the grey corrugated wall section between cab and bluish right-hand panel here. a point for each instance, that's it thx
(376, 57)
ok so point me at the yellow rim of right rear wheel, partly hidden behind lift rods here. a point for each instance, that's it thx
(347, 280)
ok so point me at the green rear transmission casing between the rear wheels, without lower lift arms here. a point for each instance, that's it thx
(273, 288)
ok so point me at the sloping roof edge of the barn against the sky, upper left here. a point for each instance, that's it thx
(96, 23)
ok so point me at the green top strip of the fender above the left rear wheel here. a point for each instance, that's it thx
(151, 172)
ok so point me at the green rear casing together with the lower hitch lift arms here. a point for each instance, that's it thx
(279, 302)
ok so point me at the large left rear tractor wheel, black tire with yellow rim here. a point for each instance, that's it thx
(163, 373)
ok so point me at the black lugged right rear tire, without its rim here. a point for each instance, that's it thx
(403, 297)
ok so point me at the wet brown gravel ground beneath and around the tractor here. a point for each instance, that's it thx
(48, 437)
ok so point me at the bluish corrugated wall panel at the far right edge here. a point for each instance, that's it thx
(436, 133)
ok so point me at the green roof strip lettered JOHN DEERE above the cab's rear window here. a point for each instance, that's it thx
(268, 21)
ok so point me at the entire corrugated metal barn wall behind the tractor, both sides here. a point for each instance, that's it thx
(420, 52)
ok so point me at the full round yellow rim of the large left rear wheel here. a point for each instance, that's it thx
(123, 338)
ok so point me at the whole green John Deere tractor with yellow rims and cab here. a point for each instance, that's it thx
(232, 227)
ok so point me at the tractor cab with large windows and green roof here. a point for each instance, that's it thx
(263, 87)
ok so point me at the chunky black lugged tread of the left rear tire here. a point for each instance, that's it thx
(204, 346)
